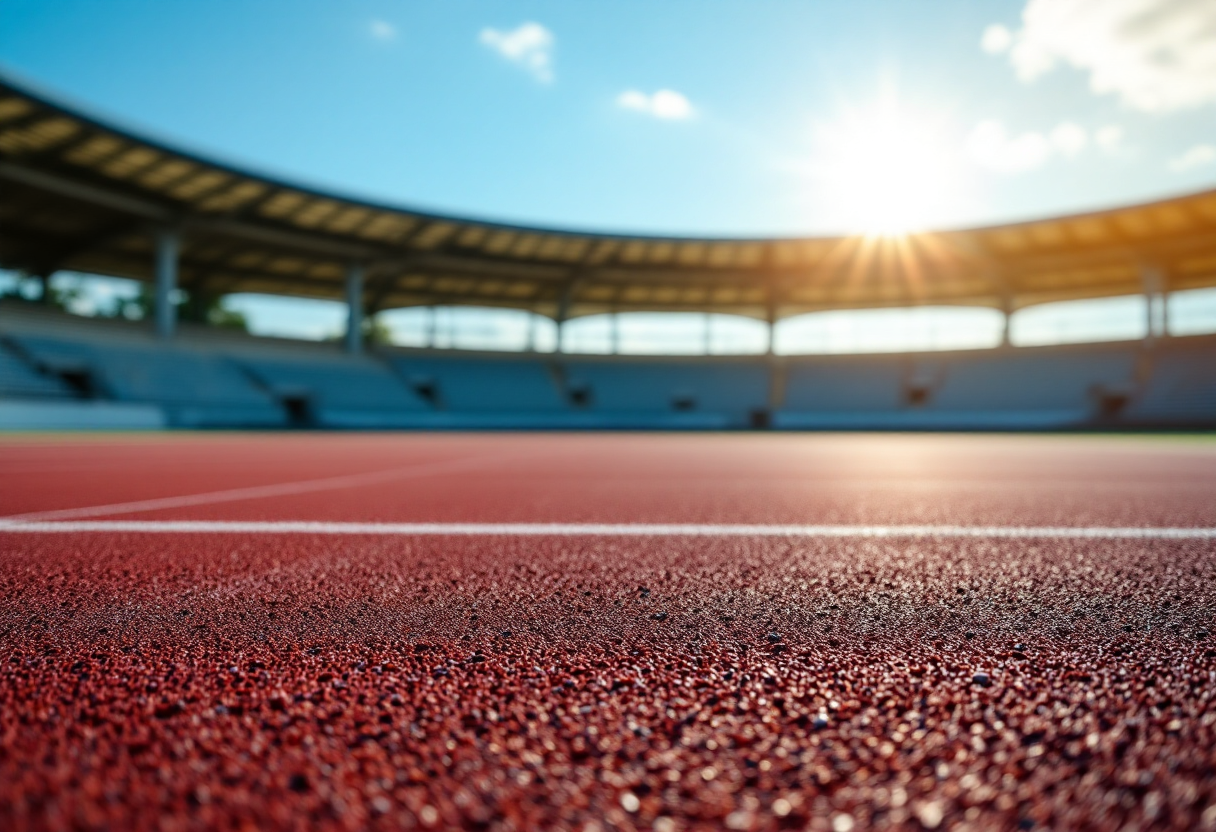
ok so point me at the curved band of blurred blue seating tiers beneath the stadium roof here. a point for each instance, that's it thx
(209, 378)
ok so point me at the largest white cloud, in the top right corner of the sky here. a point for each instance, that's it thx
(1156, 55)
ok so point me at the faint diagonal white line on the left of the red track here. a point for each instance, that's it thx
(257, 492)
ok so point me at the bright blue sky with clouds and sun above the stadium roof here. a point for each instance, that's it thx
(770, 117)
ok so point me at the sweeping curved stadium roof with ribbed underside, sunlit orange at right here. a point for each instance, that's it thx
(85, 195)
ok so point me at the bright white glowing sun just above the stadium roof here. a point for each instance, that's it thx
(887, 170)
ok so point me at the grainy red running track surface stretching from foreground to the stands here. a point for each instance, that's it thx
(217, 681)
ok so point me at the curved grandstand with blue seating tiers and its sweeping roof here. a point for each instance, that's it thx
(85, 195)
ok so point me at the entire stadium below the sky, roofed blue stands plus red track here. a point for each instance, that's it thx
(257, 582)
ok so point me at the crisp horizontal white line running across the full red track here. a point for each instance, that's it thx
(607, 530)
